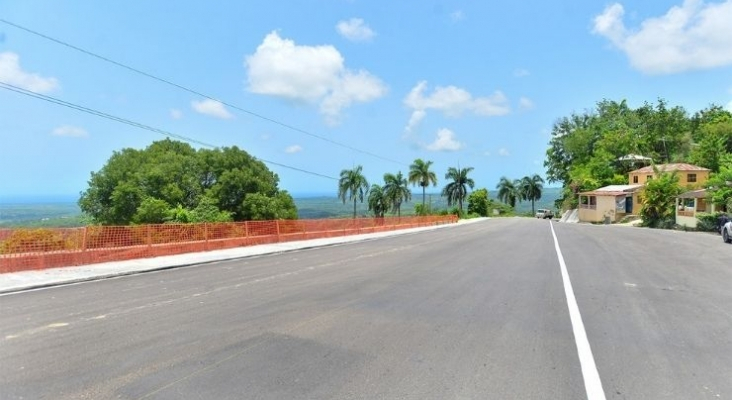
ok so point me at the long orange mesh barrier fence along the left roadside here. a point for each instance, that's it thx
(33, 249)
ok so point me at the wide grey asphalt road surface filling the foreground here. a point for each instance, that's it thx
(471, 312)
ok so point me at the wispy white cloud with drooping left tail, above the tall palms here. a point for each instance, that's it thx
(452, 101)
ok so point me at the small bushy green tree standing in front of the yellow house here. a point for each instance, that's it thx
(659, 200)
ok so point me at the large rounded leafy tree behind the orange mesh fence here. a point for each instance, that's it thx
(145, 186)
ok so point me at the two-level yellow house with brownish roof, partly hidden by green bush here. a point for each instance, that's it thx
(616, 201)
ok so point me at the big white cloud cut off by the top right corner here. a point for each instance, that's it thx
(695, 35)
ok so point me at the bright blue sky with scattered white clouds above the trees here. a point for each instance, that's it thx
(457, 82)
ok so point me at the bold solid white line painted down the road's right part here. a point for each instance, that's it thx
(593, 385)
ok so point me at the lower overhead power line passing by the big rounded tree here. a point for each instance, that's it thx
(136, 124)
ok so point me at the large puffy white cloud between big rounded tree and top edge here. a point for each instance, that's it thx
(310, 74)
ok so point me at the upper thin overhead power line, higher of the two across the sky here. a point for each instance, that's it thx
(196, 92)
